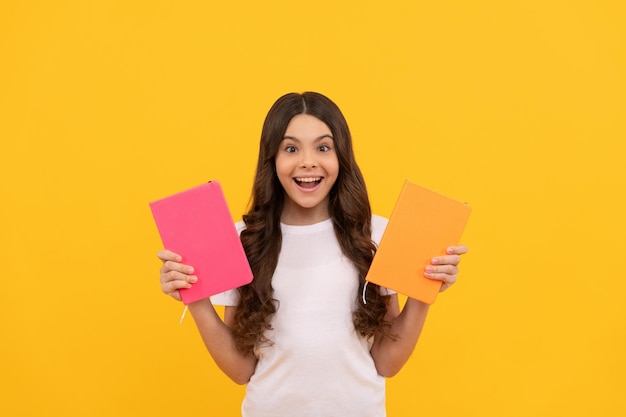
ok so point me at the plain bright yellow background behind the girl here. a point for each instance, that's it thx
(515, 106)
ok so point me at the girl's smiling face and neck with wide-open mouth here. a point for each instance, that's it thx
(307, 168)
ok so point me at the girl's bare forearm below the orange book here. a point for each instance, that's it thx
(389, 354)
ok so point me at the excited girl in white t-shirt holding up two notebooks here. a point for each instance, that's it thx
(299, 335)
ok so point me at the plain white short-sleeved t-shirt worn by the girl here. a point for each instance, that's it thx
(317, 364)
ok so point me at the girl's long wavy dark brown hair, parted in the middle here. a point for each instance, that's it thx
(349, 209)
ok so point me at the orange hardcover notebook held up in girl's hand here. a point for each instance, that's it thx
(422, 225)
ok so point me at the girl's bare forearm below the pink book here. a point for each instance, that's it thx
(219, 341)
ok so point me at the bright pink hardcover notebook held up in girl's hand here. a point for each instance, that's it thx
(197, 225)
